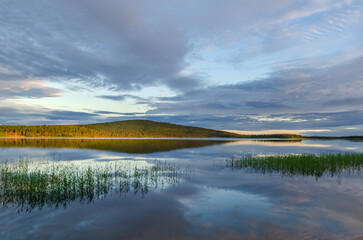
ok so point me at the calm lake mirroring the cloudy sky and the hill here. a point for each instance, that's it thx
(182, 189)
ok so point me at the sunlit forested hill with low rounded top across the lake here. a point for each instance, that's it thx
(130, 128)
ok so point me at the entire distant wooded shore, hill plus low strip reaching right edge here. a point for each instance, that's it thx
(144, 129)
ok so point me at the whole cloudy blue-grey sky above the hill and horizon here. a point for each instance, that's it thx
(232, 64)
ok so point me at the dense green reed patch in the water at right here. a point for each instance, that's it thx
(301, 165)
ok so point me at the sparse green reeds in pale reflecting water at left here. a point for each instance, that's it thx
(29, 185)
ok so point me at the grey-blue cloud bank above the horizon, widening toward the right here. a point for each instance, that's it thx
(310, 97)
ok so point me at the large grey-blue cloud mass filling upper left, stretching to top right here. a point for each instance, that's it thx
(133, 44)
